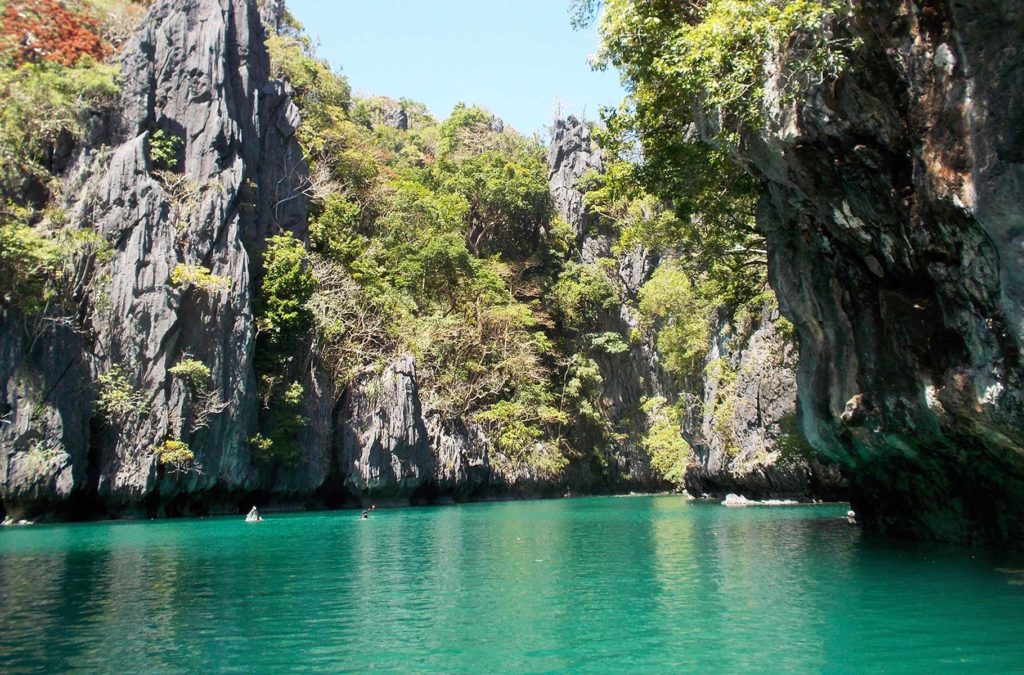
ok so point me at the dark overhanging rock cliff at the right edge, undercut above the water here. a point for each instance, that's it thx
(894, 216)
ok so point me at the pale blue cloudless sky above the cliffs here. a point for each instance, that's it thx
(516, 58)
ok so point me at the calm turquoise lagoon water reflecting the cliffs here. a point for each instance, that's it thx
(599, 585)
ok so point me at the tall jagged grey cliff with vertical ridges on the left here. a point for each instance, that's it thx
(199, 72)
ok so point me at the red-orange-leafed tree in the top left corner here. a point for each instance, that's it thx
(35, 31)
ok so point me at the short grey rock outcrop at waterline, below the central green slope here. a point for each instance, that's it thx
(383, 451)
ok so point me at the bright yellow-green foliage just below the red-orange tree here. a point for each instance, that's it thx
(42, 102)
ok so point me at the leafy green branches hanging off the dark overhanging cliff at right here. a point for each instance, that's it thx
(705, 63)
